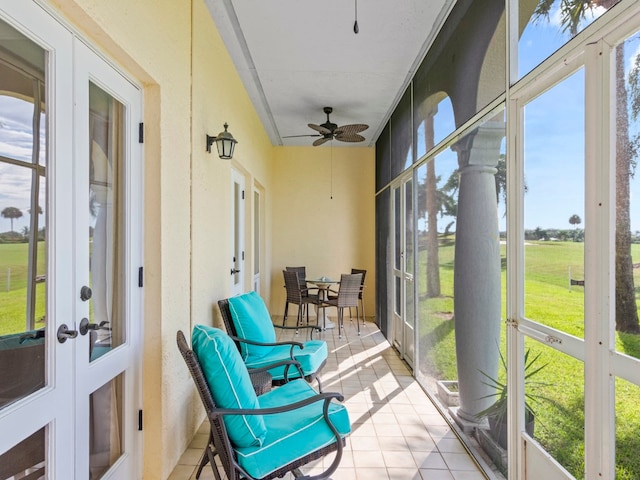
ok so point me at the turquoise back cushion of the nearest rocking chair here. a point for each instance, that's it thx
(229, 382)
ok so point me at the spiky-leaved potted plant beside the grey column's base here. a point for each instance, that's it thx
(496, 413)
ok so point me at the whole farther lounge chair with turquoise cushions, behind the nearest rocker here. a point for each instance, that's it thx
(247, 320)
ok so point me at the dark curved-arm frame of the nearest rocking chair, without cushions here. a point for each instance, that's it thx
(219, 440)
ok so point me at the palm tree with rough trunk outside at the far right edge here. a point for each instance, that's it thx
(573, 12)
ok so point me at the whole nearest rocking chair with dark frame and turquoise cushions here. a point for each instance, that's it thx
(300, 425)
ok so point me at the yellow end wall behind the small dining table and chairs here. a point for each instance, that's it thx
(325, 217)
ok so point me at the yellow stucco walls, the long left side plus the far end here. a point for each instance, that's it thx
(190, 87)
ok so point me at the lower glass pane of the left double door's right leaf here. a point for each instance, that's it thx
(105, 427)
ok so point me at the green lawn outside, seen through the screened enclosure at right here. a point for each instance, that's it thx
(548, 300)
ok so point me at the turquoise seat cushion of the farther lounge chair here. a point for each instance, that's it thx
(310, 357)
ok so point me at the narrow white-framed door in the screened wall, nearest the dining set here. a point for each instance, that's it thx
(403, 269)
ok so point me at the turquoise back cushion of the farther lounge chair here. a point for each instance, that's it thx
(253, 322)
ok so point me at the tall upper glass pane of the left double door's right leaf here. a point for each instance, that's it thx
(106, 231)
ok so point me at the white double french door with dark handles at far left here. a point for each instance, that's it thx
(70, 316)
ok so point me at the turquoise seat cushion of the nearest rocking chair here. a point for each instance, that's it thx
(292, 435)
